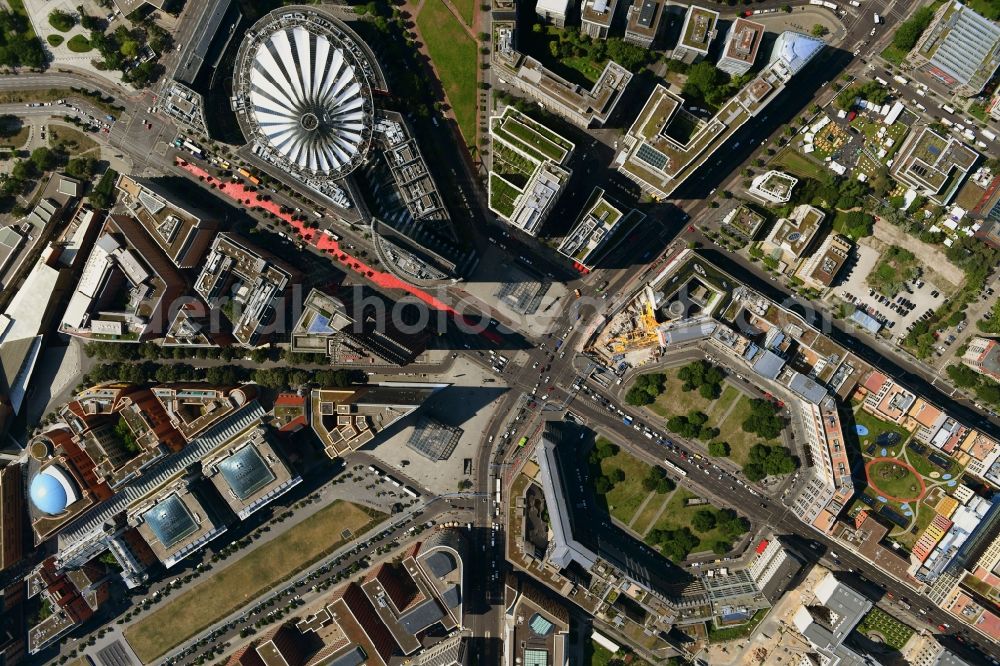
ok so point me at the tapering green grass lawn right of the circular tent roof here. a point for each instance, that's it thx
(455, 59)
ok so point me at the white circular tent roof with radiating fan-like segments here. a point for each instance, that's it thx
(305, 95)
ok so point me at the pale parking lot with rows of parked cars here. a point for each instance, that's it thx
(897, 314)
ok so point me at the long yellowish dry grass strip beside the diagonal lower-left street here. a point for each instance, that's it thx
(262, 568)
